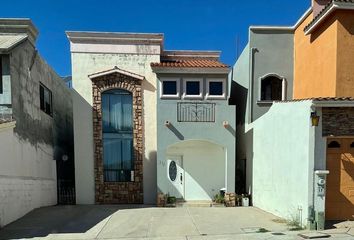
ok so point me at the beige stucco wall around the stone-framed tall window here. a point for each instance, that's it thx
(84, 64)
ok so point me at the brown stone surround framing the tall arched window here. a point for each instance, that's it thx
(118, 192)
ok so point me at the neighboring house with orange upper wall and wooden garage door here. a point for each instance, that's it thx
(294, 88)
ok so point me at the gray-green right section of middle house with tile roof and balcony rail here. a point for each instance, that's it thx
(195, 126)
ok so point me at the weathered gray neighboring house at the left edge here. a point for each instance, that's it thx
(35, 124)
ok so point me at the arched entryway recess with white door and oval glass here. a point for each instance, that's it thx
(195, 169)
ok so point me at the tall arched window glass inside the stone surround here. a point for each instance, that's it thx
(117, 122)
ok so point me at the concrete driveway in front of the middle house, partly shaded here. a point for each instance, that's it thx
(144, 222)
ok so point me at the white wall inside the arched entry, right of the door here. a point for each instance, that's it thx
(204, 165)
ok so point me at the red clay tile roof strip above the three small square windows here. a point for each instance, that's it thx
(193, 63)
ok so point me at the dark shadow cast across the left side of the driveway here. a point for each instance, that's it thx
(61, 219)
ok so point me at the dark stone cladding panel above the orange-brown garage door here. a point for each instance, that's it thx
(338, 121)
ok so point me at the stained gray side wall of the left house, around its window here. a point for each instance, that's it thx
(37, 140)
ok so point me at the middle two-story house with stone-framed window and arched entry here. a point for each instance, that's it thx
(149, 121)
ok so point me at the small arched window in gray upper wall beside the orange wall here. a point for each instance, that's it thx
(272, 88)
